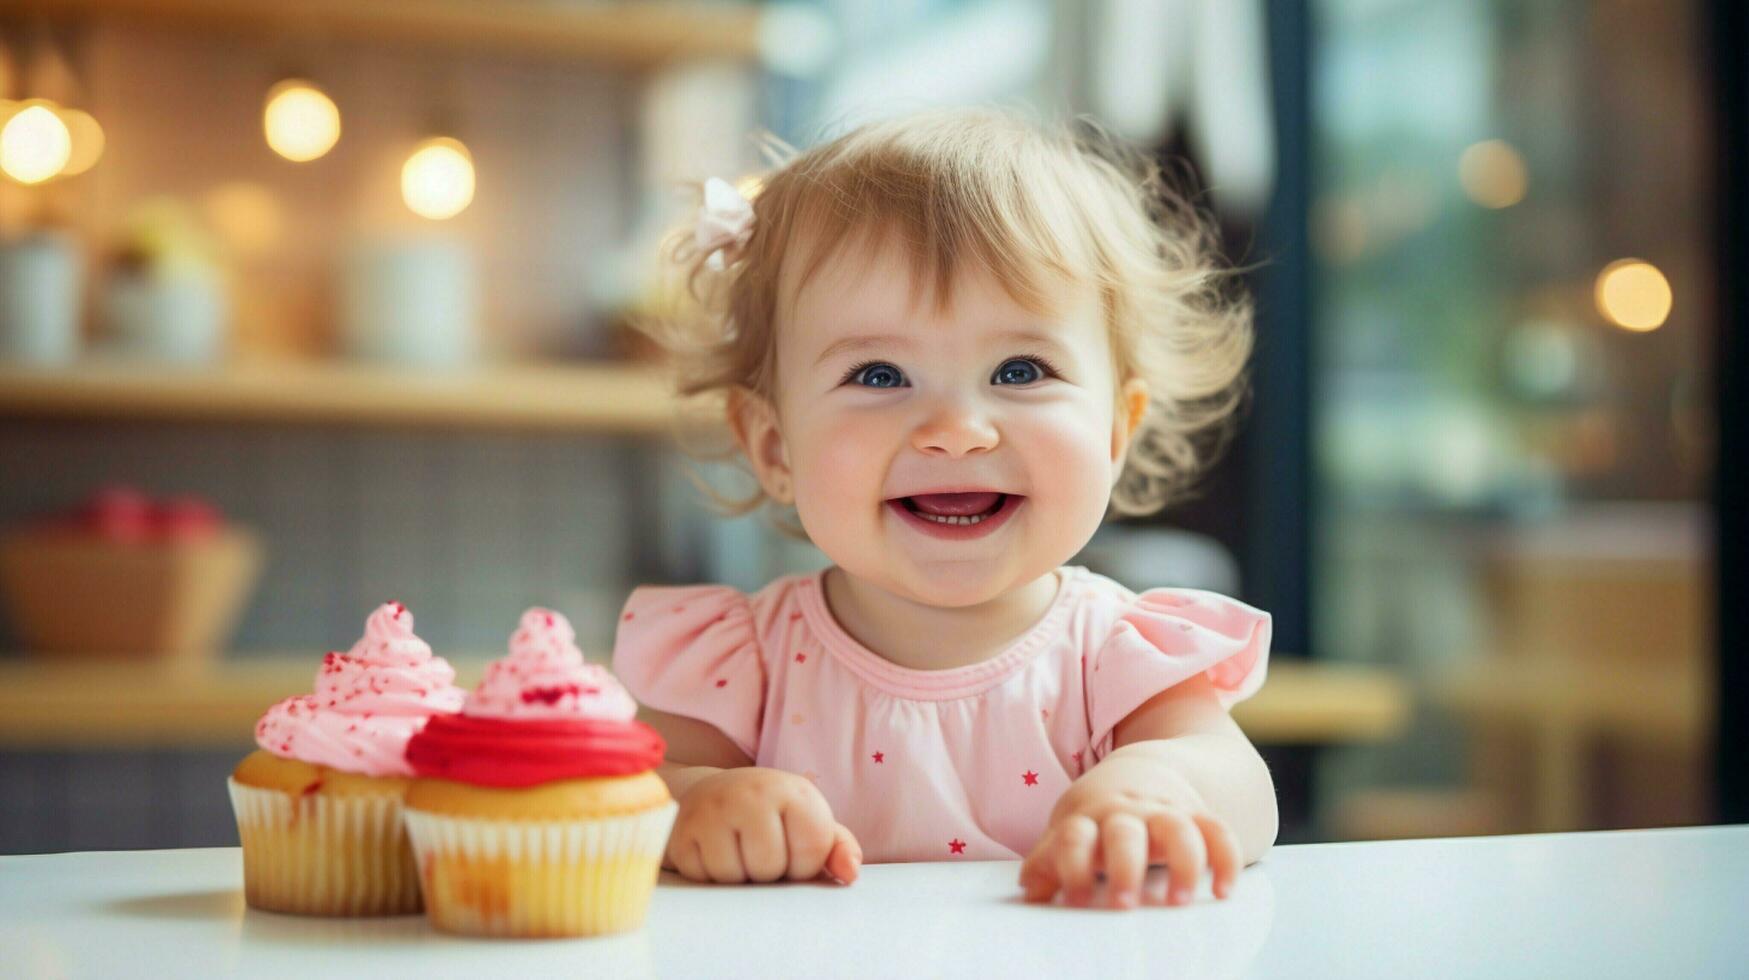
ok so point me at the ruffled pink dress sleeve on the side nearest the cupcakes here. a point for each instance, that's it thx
(693, 652)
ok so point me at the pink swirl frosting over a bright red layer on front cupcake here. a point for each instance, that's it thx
(540, 715)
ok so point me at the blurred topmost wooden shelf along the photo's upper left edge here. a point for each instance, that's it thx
(625, 34)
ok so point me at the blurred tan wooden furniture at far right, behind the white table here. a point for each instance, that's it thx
(1589, 708)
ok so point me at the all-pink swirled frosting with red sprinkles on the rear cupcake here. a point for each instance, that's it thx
(368, 701)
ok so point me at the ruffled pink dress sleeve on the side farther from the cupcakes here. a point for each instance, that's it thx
(1166, 638)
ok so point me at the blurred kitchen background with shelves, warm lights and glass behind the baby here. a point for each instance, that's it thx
(305, 307)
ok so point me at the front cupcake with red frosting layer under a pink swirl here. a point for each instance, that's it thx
(538, 809)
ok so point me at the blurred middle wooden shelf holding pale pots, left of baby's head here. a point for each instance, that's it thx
(601, 398)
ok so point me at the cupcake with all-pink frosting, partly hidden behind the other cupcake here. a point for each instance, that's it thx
(319, 802)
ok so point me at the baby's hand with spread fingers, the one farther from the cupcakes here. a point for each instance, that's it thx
(1125, 815)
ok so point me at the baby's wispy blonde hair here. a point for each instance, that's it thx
(1021, 202)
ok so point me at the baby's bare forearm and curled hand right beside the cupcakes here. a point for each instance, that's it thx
(741, 823)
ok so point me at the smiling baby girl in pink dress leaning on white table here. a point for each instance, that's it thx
(956, 344)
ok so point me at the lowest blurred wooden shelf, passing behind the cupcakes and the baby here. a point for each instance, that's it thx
(94, 706)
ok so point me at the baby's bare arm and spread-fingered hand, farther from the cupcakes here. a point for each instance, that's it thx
(1183, 787)
